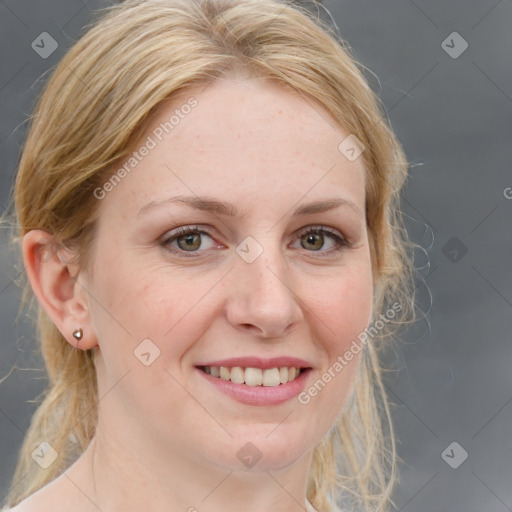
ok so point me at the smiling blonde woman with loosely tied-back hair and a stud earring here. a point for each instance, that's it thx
(208, 202)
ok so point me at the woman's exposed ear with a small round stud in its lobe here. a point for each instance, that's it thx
(53, 277)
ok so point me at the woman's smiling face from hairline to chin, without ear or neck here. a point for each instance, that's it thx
(261, 278)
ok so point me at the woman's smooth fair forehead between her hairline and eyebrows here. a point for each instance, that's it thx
(252, 140)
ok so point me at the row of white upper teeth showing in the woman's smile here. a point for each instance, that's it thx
(270, 377)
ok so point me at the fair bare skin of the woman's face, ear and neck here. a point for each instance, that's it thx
(164, 433)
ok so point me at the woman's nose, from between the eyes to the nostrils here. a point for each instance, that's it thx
(261, 297)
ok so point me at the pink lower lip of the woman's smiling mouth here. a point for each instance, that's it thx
(259, 395)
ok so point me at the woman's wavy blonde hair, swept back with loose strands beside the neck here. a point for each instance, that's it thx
(101, 98)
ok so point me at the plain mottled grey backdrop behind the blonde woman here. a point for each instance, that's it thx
(452, 379)
